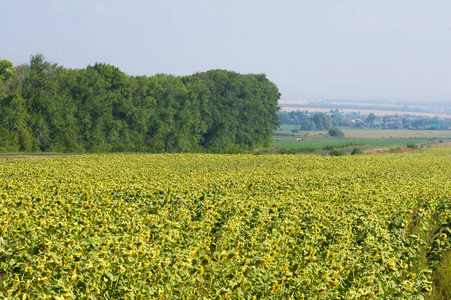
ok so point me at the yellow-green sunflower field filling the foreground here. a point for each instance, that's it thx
(192, 226)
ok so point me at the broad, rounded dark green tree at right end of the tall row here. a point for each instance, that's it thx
(243, 110)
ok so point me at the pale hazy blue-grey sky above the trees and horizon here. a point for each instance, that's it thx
(311, 49)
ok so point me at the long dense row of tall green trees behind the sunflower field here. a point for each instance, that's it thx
(45, 107)
